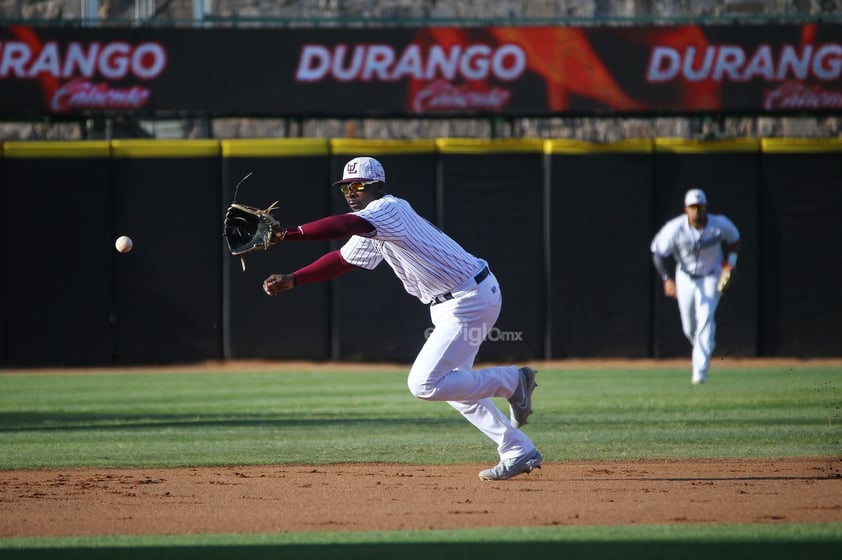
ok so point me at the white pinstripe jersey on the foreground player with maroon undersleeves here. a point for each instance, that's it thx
(425, 259)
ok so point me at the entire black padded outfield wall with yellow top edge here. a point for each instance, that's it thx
(565, 226)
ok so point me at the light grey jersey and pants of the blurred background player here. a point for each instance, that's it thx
(698, 256)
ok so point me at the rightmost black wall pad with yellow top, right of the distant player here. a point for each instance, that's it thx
(800, 251)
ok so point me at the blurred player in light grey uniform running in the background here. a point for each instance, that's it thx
(698, 242)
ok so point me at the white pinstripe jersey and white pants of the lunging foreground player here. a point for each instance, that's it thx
(430, 264)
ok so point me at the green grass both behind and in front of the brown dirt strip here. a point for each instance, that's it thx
(161, 418)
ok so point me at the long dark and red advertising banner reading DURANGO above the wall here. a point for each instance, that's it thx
(420, 71)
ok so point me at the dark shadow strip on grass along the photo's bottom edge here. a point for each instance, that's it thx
(655, 550)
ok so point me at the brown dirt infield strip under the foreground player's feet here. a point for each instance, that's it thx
(277, 499)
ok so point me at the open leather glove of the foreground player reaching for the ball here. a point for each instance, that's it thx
(250, 229)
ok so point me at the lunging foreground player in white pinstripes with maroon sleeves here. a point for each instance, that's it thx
(464, 298)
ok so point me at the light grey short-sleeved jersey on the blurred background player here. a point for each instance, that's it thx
(696, 252)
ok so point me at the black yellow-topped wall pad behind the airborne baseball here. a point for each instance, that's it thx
(166, 197)
